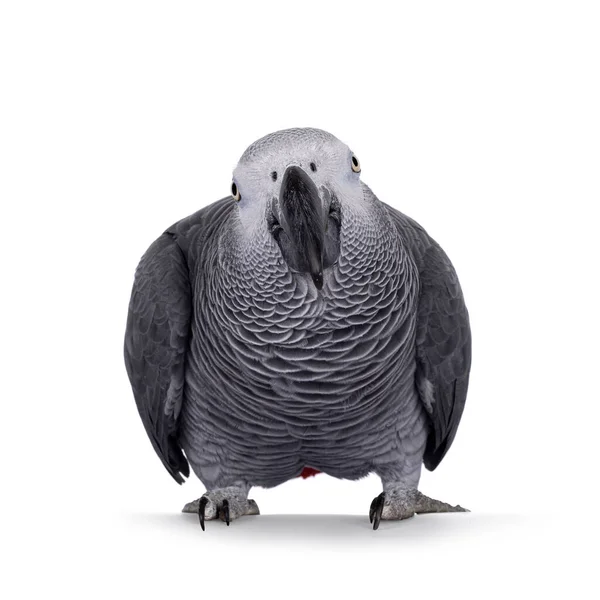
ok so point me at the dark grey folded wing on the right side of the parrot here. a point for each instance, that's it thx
(443, 341)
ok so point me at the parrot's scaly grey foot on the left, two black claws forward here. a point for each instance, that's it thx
(226, 504)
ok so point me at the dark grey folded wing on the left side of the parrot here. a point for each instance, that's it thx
(156, 342)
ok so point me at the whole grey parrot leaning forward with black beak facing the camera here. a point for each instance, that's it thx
(299, 325)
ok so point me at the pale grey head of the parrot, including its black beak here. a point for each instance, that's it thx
(294, 187)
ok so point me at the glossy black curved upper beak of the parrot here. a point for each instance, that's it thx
(300, 206)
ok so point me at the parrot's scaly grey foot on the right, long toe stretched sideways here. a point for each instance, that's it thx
(401, 503)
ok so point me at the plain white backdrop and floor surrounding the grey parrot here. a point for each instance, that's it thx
(478, 119)
